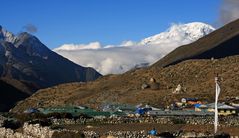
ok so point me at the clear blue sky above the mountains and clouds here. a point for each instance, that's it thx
(106, 21)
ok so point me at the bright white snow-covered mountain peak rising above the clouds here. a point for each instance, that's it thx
(188, 32)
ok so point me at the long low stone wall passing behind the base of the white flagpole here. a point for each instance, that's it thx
(195, 120)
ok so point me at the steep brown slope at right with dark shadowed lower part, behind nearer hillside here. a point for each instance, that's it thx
(219, 44)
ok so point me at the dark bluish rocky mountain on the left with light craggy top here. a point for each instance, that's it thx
(26, 59)
